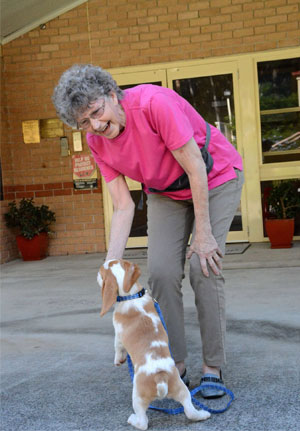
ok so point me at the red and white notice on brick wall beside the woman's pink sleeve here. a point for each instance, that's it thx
(84, 172)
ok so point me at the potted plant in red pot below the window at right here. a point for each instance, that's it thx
(283, 202)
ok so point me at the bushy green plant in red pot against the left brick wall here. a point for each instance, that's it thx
(32, 224)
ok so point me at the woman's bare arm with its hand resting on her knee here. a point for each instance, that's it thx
(204, 244)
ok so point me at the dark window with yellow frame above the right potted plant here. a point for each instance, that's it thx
(279, 97)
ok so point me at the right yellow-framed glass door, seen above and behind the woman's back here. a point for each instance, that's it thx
(211, 89)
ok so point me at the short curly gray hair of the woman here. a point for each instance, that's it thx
(78, 87)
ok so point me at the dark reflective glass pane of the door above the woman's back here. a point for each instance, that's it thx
(212, 97)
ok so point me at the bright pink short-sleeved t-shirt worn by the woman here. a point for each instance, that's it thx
(158, 121)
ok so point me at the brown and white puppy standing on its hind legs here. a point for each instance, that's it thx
(139, 331)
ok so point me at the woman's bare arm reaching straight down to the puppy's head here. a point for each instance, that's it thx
(122, 217)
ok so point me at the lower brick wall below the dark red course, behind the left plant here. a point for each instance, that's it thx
(79, 223)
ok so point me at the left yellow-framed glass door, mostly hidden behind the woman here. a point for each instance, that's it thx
(138, 233)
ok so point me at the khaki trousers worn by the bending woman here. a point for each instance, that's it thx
(170, 224)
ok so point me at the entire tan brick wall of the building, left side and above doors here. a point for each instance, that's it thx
(113, 33)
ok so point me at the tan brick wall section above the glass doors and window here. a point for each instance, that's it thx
(150, 31)
